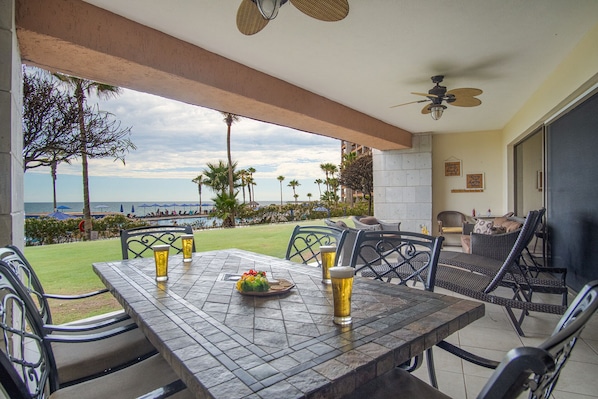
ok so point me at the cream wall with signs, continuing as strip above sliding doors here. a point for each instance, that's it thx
(492, 152)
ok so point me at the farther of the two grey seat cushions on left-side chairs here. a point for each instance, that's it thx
(72, 359)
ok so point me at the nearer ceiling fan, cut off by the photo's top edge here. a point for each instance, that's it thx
(253, 15)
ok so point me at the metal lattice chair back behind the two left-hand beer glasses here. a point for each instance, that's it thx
(138, 241)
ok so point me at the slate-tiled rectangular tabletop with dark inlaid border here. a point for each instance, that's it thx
(227, 345)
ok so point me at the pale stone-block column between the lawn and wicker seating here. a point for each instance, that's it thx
(403, 185)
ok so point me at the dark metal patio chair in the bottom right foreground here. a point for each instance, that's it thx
(536, 369)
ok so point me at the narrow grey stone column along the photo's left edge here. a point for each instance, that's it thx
(12, 214)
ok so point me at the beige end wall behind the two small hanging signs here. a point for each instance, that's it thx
(480, 152)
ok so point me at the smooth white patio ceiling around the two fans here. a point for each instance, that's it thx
(386, 49)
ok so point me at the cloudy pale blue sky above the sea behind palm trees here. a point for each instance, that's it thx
(174, 143)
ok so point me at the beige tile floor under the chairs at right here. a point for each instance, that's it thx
(493, 336)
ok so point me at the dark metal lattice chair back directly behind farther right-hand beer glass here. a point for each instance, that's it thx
(304, 244)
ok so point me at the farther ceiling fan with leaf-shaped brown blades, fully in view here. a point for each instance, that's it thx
(464, 97)
